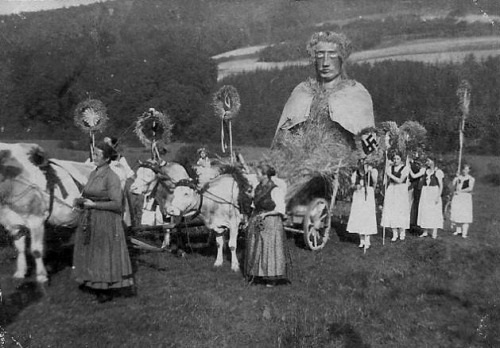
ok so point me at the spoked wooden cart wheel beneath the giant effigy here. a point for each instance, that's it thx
(317, 224)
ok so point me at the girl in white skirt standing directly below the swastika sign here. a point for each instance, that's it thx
(362, 218)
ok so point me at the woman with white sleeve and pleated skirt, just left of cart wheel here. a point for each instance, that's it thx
(266, 257)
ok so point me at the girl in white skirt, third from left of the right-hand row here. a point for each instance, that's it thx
(430, 208)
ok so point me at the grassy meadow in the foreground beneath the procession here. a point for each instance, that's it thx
(416, 293)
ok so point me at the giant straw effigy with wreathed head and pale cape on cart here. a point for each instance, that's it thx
(318, 131)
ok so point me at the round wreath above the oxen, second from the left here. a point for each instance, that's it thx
(152, 126)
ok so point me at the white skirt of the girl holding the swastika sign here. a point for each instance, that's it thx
(362, 218)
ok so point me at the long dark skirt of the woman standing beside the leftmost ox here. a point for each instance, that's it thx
(100, 258)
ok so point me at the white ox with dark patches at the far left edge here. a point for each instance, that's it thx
(25, 202)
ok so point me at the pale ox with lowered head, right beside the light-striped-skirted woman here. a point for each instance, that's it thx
(217, 204)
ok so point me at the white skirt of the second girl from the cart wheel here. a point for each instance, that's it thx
(396, 212)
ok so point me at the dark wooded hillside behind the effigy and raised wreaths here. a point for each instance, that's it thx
(134, 55)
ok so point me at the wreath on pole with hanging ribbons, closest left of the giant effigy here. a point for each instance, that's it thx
(226, 103)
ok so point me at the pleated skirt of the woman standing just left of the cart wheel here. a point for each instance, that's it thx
(266, 255)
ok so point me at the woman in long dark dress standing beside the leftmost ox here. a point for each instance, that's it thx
(101, 260)
